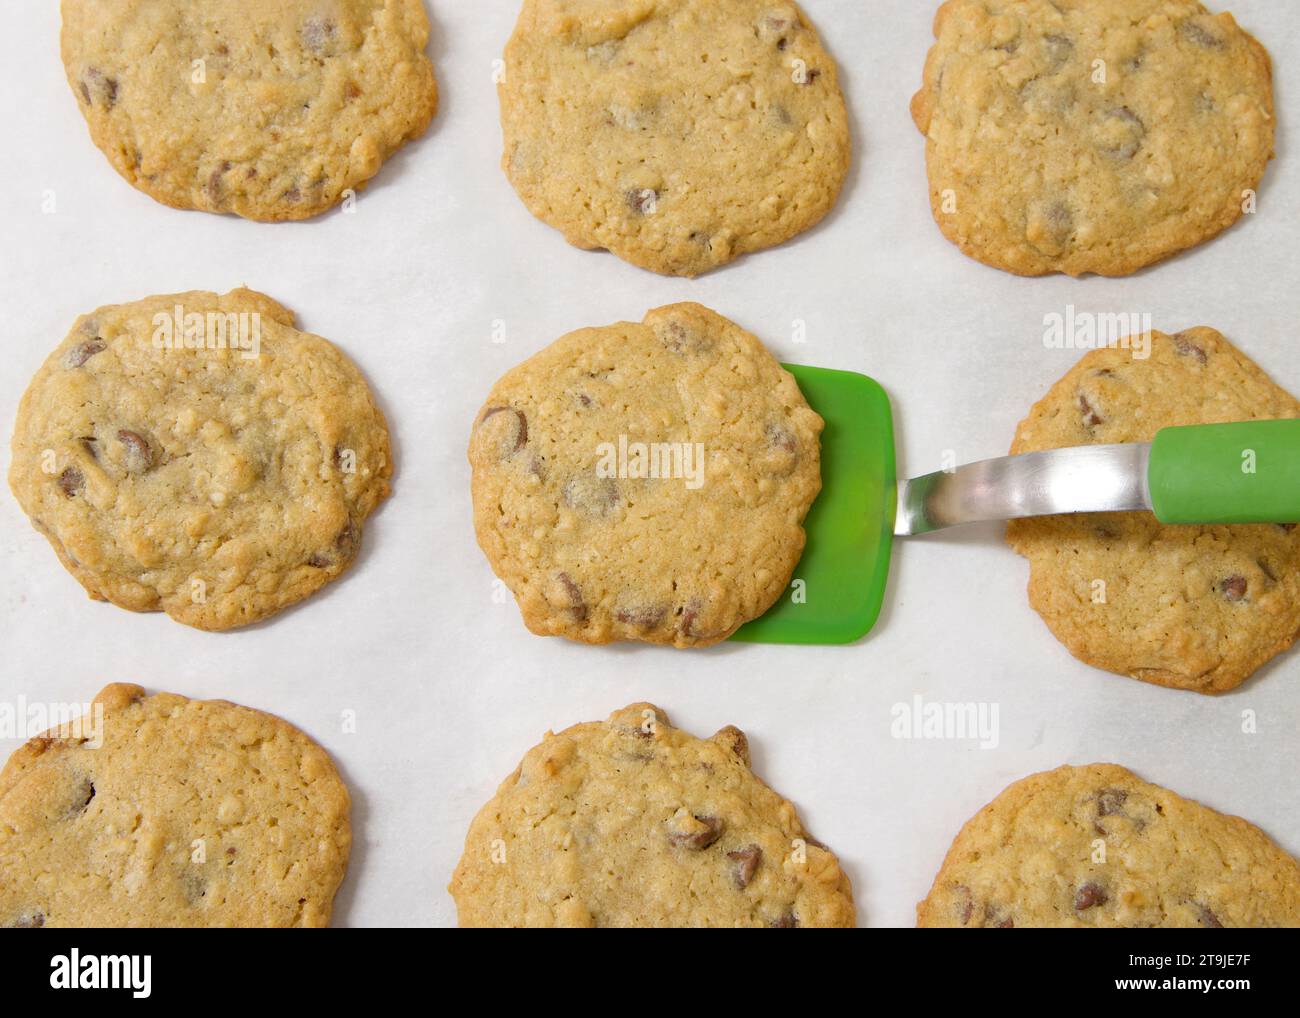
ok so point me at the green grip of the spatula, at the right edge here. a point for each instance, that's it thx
(1246, 473)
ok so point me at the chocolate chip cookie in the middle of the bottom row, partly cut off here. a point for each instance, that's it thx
(635, 824)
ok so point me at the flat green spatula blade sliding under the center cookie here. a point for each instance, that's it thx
(839, 586)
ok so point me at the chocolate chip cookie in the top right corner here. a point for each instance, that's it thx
(1091, 136)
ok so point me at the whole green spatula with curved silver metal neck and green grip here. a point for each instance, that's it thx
(1211, 474)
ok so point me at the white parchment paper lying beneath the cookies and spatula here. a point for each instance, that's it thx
(449, 688)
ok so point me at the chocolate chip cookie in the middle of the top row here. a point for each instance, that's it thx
(678, 135)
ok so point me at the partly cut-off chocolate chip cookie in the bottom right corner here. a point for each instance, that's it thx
(1098, 847)
